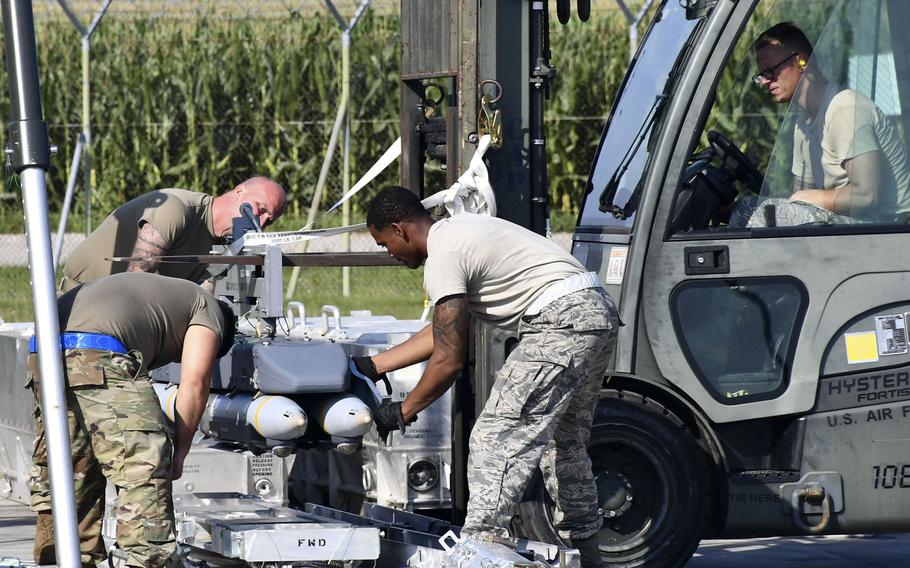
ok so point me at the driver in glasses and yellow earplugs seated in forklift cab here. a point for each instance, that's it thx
(849, 164)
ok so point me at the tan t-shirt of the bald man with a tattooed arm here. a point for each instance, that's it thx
(183, 218)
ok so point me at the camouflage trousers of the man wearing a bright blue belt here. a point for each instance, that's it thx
(117, 433)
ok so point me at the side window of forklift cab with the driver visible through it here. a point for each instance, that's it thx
(806, 131)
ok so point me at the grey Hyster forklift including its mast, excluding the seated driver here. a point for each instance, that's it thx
(761, 380)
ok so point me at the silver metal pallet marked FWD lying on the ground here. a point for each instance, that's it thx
(241, 530)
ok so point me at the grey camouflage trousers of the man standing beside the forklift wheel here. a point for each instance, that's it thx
(539, 414)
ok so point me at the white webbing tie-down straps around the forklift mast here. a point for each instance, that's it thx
(472, 193)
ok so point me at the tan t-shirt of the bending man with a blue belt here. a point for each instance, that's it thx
(146, 312)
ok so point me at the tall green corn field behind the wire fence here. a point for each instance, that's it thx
(206, 98)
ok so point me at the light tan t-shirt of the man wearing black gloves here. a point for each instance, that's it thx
(499, 265)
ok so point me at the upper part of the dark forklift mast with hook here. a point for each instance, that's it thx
(453, 53)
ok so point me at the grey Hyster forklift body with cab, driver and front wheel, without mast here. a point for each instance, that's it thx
(761, 270)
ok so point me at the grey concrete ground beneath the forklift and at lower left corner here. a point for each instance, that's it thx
(868, 551)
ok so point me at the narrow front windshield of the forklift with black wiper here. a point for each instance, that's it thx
(625, 146)
